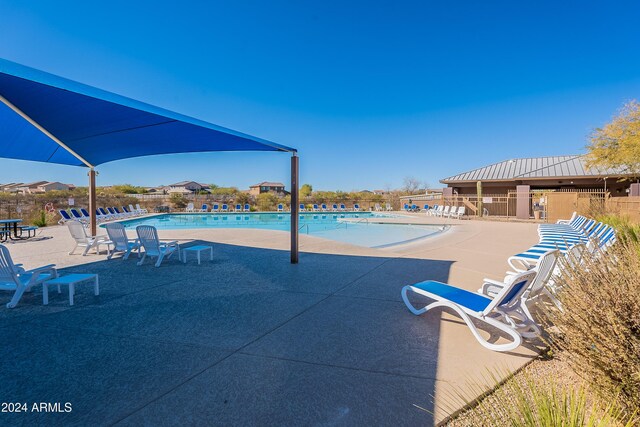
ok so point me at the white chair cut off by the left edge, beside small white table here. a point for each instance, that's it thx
(15, 278)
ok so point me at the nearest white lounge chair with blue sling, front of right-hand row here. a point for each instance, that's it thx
(497, 312)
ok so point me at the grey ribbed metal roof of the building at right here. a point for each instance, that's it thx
(534, 168)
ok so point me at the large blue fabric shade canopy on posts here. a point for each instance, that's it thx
(98, 126)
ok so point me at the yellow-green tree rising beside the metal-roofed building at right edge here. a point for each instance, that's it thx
(617, 144)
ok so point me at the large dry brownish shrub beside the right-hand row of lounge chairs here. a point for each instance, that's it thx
(599, 325)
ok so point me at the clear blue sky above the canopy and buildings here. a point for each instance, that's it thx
(369, 92)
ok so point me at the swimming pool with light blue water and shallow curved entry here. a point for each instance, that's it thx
(358, 228)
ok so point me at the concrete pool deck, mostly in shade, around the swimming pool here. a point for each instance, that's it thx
(250, 339)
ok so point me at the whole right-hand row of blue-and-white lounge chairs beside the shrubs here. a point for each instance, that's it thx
(505, 304)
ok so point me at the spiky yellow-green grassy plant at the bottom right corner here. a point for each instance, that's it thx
(527, 401)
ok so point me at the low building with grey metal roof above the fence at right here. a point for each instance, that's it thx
(540, 173)
